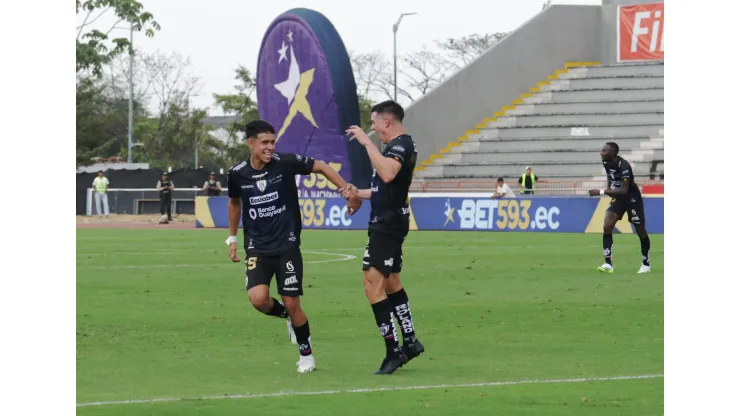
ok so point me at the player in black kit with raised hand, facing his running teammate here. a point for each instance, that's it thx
(389, 224)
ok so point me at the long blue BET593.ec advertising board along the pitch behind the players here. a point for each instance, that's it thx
(454, 213)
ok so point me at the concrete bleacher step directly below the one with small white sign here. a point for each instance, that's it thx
(539, 144)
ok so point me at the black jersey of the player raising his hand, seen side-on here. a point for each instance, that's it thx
(389, 209)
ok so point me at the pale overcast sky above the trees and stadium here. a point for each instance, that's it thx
(218, 35)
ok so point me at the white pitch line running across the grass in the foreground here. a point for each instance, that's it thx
(376, 389)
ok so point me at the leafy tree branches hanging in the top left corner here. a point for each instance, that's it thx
(94, 46)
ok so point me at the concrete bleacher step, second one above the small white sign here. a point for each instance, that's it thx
(624, 107)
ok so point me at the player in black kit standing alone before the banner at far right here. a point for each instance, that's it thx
(626, 198)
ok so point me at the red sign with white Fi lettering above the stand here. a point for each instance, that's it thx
(640, 32)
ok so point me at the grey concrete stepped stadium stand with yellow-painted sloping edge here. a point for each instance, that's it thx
(561, 125)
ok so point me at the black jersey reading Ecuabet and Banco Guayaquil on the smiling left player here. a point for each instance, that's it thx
(271, 216)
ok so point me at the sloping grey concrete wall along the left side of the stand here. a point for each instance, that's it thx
(559, 34)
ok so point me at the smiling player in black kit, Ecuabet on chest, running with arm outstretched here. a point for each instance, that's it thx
(263, 193)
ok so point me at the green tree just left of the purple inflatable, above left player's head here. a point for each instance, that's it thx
(244, 108)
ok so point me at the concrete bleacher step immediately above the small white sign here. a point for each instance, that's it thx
(585, 120)
